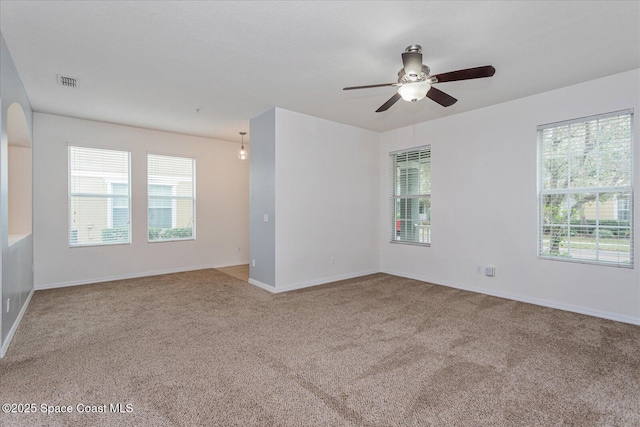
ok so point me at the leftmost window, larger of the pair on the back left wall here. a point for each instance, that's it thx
(99, 197)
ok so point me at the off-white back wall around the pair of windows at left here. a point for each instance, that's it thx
(222, 193)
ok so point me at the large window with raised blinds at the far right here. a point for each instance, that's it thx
(585, 189)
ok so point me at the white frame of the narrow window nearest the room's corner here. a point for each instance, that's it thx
(394, 198)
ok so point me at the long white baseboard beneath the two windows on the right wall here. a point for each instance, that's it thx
(529, 300)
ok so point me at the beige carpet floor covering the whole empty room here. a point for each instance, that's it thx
(204, 348)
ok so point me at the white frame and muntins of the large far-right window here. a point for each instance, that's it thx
(598, 190)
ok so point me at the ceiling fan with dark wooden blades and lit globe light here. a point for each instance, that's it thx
(414, 81)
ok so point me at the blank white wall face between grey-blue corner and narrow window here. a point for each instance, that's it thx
(327, 191)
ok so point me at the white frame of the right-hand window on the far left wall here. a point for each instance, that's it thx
(172, 182)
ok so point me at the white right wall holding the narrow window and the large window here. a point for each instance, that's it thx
(484, 203)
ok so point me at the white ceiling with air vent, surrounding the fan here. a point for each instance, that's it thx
(153, 64)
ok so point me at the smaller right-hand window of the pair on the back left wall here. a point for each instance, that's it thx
(171, 198)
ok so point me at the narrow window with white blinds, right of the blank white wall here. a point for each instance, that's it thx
(411, 198)
